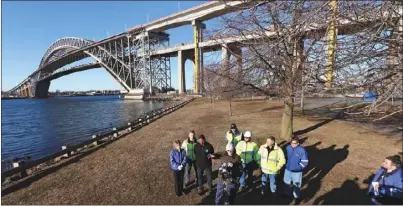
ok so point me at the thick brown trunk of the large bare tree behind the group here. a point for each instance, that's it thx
(287, 120)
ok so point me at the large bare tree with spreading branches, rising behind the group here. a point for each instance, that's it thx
(287, 49)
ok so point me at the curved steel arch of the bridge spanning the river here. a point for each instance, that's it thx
(55, 57)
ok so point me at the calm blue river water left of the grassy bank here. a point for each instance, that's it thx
(38, 127)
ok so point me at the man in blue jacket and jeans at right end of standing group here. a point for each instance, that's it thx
(297, 160)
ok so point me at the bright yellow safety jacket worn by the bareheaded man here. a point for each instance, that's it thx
(272, 162)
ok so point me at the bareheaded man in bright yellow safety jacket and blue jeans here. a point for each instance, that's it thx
(270, 159)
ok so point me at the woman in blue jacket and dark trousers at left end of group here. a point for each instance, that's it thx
(178, 161)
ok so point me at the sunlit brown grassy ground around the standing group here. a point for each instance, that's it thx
(135, 169)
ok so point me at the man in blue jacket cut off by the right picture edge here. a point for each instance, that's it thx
(387, 185)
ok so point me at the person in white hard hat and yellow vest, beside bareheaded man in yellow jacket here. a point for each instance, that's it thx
(247, 150)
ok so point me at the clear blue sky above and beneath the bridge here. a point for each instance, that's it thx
(29, 28)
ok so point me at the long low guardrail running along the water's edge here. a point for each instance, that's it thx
(21, 171)
